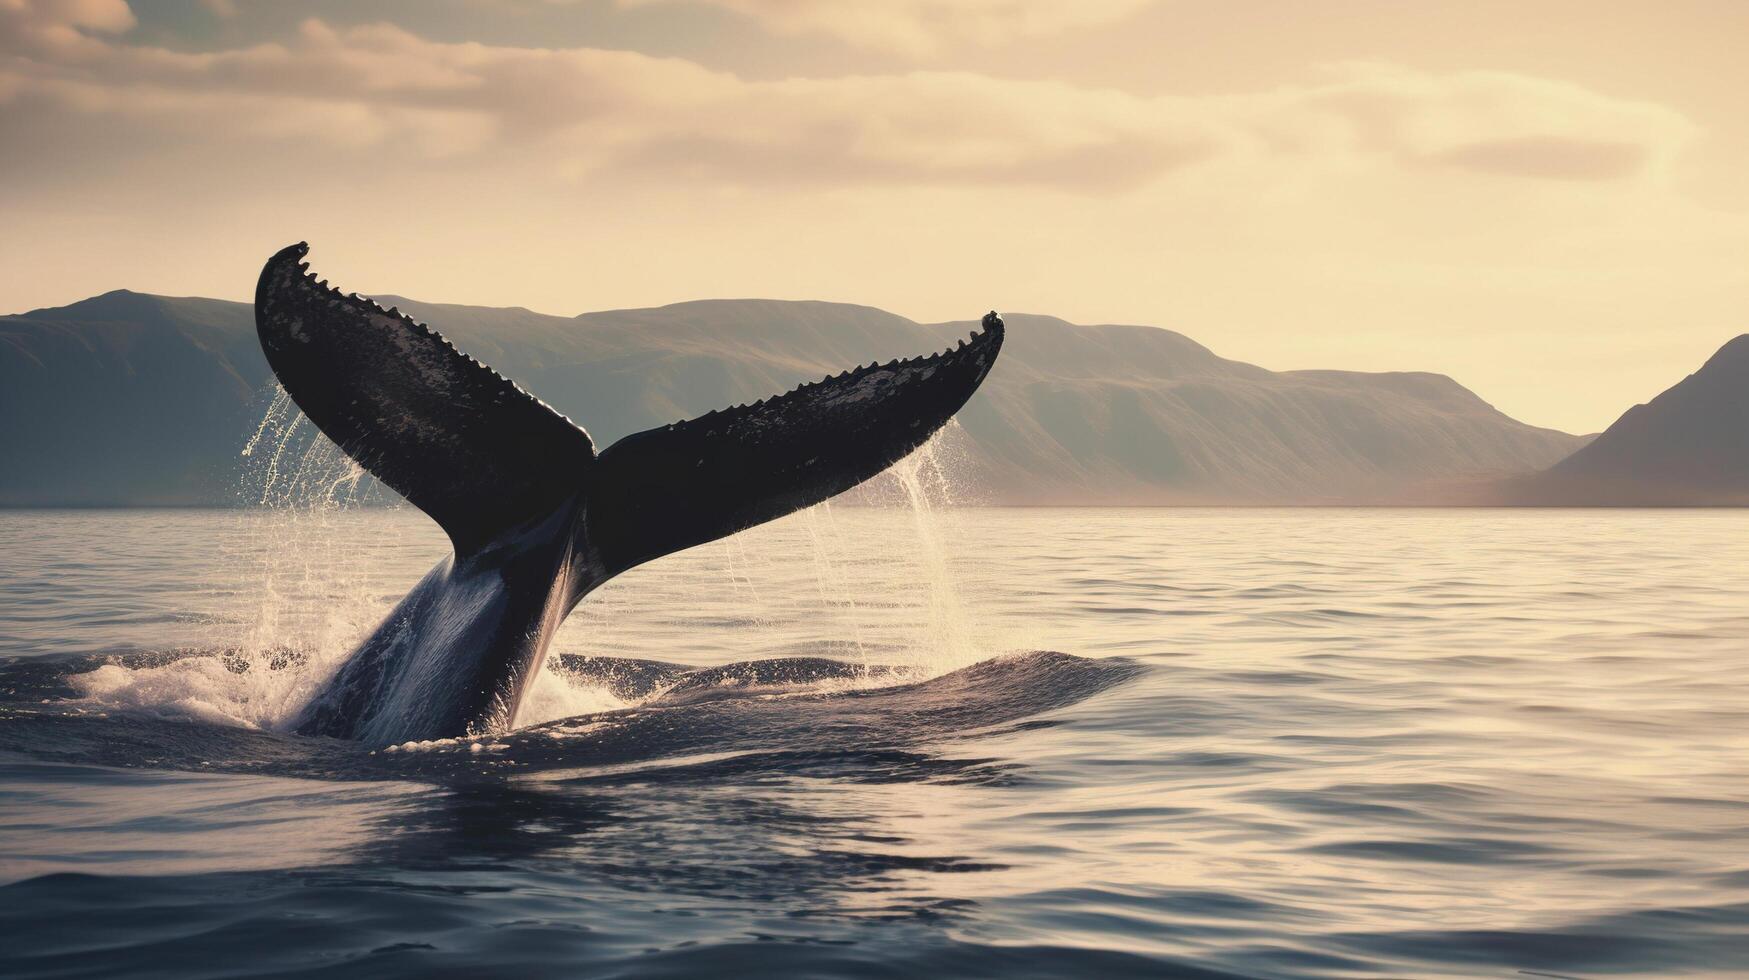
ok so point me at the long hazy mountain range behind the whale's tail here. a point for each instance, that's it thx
(146, 400)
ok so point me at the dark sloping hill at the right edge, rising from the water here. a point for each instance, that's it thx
(1687, 447)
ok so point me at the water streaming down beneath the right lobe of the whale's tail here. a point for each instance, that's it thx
(874, 580)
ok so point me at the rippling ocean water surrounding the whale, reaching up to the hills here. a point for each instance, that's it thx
(1153, 743)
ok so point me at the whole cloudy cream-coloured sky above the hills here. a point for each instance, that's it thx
(1547, 200)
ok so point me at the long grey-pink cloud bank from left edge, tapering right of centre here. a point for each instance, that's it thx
(615, 111)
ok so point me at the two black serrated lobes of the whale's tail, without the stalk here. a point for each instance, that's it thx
(482, 456)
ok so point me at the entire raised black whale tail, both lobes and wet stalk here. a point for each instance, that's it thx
(538, 519)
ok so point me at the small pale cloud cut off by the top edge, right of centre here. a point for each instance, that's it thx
(921, 27)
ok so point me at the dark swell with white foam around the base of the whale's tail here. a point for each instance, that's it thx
(216, 711)
